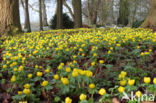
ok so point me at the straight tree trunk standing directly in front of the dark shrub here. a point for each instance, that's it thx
(59, 14)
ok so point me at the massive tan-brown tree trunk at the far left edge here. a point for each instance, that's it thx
(9, 17)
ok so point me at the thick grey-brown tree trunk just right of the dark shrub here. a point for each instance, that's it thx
(77, 13)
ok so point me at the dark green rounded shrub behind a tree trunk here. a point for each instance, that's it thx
(67, 22)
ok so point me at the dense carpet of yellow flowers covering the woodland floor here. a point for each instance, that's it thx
(65, 63)
